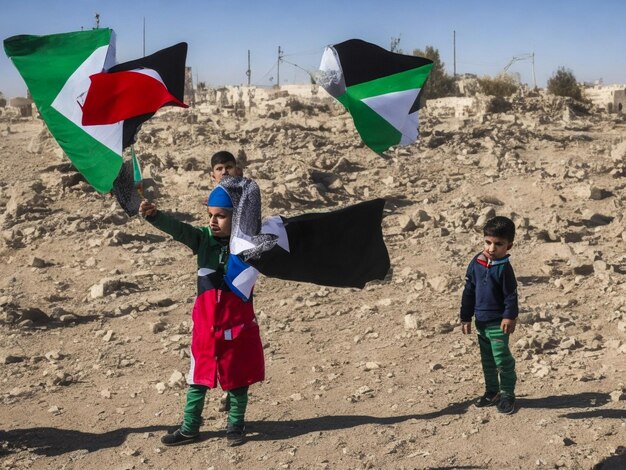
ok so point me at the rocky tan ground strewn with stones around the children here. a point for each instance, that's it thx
(94, 306)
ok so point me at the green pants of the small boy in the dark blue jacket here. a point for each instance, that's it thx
(495, 356)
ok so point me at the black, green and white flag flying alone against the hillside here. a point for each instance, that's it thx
(380, 89)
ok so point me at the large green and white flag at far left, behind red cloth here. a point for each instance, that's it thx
(56, 69)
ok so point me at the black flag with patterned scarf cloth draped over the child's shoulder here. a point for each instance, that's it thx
(342, 248)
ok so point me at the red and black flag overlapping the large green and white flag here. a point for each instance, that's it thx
(133, 91)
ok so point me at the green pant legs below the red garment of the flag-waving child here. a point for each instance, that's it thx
(238, 399)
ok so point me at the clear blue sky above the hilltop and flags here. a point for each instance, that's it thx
(586, 37)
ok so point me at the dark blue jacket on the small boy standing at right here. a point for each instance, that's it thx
(490, 291)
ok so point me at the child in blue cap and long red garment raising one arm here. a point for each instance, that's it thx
(226, 345)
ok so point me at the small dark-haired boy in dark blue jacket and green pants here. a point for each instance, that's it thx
(491, 295)
